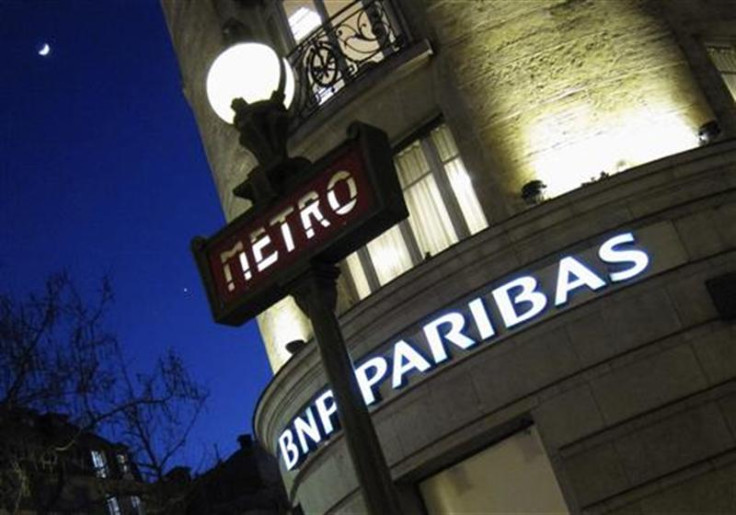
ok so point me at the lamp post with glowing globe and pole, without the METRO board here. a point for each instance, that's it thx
(250, 87)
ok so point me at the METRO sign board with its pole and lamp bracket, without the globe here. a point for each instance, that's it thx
(306, 217)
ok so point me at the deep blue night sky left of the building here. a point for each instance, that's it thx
(103, 172)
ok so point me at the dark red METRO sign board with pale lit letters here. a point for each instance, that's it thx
(337, 205)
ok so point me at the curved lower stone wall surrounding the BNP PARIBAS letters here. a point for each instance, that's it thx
(602, 378)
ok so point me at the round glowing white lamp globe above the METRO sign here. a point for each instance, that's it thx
(251, 71)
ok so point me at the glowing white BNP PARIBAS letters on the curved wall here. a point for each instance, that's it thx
(498, 308)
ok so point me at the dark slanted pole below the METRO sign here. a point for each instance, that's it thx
(315, 293)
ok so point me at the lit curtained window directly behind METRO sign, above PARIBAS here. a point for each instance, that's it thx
(443, 209)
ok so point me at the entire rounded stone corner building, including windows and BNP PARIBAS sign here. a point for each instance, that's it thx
(566, 348)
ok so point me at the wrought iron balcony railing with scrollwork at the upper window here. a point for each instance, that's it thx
(343, 49)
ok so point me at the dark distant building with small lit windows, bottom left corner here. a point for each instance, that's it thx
(48, 465)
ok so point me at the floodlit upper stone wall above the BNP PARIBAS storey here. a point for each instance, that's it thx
(556, 90)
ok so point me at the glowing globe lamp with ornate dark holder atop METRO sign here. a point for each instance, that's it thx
(250, 87)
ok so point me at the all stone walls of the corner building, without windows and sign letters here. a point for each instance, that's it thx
(630, 386)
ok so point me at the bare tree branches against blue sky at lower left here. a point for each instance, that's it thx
(57, 356)
